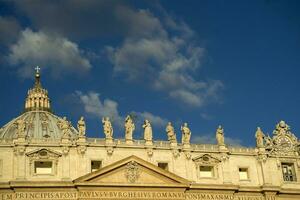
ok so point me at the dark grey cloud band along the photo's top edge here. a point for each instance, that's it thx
(89, 19)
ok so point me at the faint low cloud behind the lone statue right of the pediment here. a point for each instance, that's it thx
(211, 139)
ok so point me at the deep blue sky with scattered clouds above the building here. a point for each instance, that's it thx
(234, 63)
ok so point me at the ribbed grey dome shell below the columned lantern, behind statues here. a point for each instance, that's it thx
(38, 125)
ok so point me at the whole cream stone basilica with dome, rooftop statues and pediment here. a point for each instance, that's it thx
(42, 156)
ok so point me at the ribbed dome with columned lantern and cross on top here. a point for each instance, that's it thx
(38, 121)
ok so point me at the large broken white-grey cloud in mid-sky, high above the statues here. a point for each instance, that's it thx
(165, 59)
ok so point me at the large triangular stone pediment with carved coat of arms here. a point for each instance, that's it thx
(132, 171)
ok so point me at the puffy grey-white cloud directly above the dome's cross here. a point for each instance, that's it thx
(46, 50)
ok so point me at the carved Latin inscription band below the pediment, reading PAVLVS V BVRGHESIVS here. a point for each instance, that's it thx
(103, 195)
